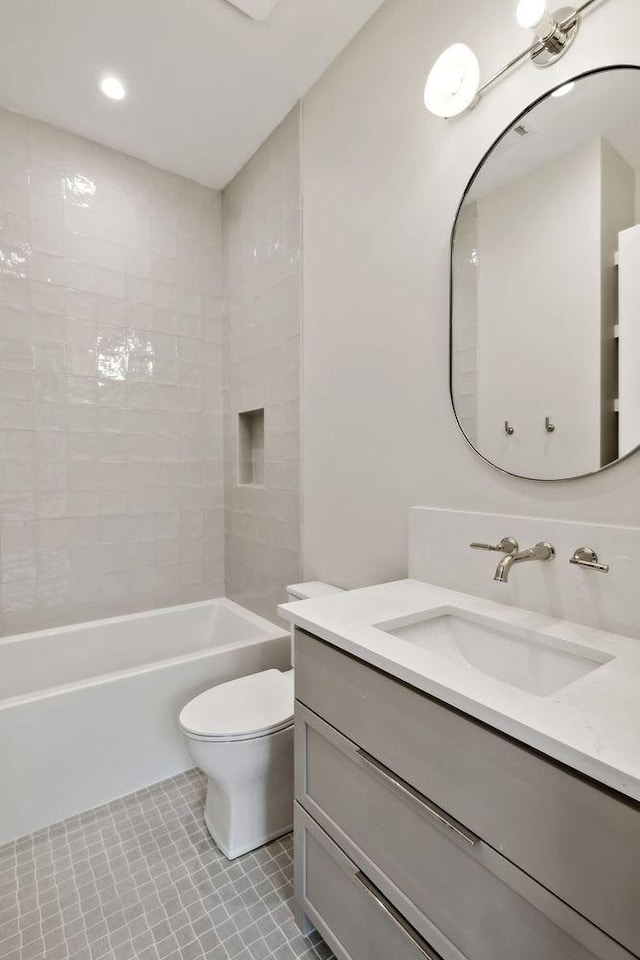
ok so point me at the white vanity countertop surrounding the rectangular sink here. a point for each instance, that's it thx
(592, 725)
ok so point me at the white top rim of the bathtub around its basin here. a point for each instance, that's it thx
(268, 631)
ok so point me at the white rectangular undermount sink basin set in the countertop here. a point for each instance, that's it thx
(524, 659)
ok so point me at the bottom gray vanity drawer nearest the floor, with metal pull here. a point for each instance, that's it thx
(354, 917)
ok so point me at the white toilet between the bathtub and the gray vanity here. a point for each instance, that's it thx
(240, 734)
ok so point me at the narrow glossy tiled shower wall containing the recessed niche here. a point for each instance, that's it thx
(262, 253)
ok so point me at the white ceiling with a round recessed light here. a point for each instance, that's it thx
(206, 83)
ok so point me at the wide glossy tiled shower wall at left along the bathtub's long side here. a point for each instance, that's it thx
(111, 450)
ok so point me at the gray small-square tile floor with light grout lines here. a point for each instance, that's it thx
(140, 879)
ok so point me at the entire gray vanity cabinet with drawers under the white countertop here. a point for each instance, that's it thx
(382, 775)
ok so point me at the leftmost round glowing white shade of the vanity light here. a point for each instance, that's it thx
(453, 82)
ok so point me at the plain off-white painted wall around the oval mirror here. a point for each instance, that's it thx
(381, 183)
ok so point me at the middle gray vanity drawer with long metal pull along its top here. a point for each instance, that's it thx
(479, 901)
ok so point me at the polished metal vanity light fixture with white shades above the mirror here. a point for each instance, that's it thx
(453, 84)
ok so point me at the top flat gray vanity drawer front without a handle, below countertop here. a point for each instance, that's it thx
(579, 841)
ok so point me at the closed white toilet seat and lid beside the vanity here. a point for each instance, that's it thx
(242, 709)
